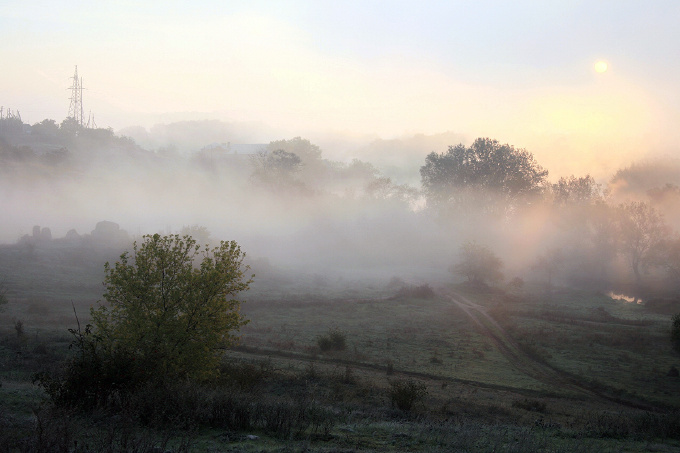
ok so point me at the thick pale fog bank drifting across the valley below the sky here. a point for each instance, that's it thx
(293, 204)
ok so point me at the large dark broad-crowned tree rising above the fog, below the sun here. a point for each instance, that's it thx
(486, 175)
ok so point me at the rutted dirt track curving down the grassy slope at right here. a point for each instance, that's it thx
(524, 362)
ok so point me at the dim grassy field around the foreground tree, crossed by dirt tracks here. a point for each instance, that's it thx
(501, 370)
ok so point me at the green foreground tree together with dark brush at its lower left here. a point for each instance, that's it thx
(168, 317)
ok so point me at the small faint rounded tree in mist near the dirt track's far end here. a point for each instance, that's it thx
(479, 264)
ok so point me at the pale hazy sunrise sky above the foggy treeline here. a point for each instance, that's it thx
(519, 71)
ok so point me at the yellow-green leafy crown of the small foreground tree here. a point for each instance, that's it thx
(172, 306)
